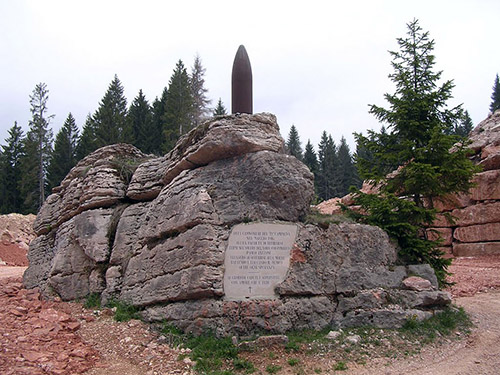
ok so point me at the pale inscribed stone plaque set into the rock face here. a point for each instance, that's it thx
(257, 259)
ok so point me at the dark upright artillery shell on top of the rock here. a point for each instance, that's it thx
(241, 83)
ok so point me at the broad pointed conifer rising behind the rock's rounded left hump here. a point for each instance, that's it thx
(110, 119)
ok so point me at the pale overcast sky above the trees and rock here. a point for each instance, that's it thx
(316, 64)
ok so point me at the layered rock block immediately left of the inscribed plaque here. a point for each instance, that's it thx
(181, 267)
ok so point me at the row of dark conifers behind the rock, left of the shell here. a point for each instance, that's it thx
(32, 164)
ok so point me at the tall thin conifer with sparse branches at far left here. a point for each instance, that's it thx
(37, 148)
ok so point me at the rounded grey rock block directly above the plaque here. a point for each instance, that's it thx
(258, 186)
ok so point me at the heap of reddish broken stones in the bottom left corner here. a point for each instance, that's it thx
(39, 337)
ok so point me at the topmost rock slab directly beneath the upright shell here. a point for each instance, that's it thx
(222, 138)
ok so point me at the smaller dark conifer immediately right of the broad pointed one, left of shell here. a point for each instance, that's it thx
(143, 134)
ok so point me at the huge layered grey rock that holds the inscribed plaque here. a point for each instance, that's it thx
(154, 232)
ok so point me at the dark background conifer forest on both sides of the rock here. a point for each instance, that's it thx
(32, 164)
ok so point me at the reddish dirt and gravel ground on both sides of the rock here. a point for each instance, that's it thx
(47, 337)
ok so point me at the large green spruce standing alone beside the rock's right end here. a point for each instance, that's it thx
(417, 120)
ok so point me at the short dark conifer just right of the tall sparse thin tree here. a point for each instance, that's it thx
(64, 154)
